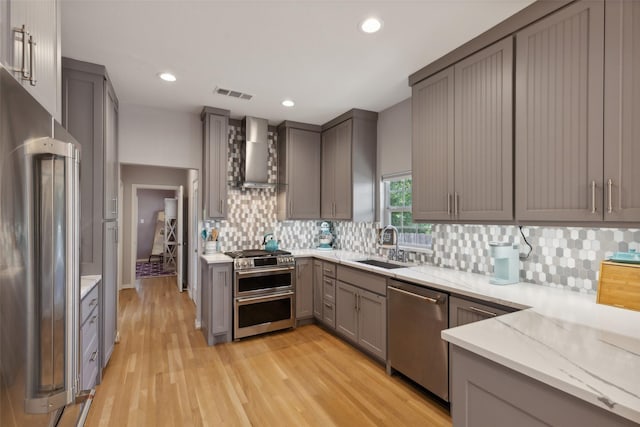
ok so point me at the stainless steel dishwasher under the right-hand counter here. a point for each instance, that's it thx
(417, 315)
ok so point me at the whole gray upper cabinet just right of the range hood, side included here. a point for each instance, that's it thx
(299, 150)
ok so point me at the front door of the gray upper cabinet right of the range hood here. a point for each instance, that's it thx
(303, 170)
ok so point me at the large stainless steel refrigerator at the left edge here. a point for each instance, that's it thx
(39, 263)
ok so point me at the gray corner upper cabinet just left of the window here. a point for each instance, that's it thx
(348, 174)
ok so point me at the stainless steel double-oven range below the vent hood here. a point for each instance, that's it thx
(263, 292)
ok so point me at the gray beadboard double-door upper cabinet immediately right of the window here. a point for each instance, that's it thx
(462, 163)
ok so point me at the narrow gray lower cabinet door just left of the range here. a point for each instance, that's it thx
(220, 299)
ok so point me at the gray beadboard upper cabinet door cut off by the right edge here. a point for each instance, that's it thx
(622, 110)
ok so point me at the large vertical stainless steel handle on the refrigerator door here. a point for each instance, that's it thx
(53, 320)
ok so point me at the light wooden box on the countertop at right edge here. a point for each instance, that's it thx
(619, 285)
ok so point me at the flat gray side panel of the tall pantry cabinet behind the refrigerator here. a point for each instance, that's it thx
(83, 117)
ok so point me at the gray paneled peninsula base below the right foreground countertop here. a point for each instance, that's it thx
(488, 394)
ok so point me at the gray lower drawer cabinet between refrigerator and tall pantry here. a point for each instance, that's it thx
(89, 339)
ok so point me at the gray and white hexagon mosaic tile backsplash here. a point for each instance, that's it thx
(561, 257)
